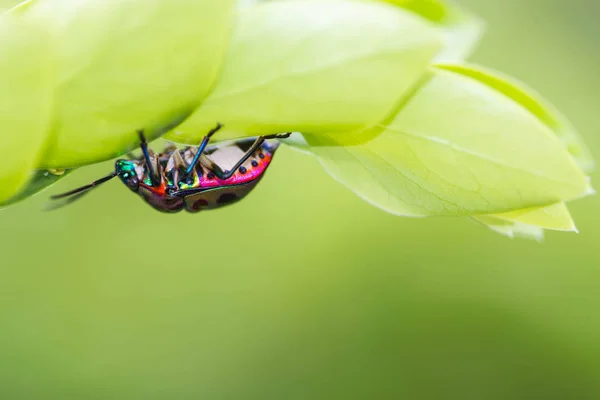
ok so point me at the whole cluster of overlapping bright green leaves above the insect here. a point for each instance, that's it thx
(379, 90)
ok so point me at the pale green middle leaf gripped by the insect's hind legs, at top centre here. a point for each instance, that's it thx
(326, 66)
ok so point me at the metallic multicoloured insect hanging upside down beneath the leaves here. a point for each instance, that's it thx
(193, 179)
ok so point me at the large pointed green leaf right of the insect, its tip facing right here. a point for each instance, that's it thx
(458, 146)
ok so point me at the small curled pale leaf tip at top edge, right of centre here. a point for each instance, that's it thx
(462, 30)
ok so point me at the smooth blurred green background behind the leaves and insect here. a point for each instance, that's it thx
(303, 291)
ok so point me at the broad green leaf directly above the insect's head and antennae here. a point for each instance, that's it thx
(126, 65)
